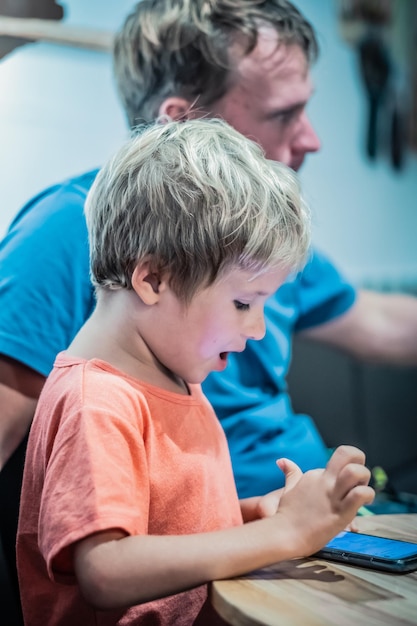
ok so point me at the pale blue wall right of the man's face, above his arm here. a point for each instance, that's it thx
(365, 213)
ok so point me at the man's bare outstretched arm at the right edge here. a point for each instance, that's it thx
(378, 327)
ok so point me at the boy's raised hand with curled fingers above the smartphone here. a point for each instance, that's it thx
(320, 503)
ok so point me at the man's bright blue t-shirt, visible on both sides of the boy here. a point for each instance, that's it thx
(46, 296)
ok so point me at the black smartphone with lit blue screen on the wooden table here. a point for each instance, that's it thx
(382, 553)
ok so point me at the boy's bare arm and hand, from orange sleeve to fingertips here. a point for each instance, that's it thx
(114, 570)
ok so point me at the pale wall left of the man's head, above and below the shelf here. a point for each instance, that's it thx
(59, 113)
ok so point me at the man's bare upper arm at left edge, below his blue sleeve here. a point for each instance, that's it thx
(20, 387)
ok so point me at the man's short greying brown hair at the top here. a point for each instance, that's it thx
(190, 48)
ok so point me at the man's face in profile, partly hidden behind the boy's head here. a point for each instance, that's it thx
(268, 99)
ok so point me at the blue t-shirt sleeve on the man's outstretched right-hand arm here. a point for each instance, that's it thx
(324, 293)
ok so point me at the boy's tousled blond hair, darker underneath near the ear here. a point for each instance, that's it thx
(195, 198)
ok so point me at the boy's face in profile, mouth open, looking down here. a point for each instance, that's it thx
(194, 340)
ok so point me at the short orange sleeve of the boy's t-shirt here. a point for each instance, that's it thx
(96, 475)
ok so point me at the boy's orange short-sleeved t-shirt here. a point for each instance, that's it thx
(108, 451)
